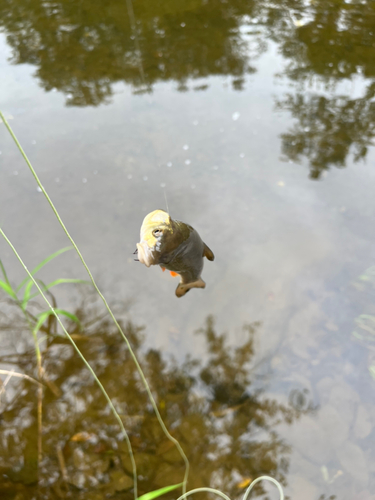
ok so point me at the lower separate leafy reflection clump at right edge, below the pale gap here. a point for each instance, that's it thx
(327, 129)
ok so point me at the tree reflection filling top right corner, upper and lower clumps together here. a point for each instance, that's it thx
(326, 44)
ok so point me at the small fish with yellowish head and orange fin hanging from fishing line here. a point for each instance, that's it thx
(173, 245)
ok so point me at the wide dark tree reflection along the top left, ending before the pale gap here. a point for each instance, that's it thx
(82, 50)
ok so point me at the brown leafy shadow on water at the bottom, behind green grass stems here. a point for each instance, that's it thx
(215, 407)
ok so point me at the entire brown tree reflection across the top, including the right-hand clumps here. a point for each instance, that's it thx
(83, 49)
